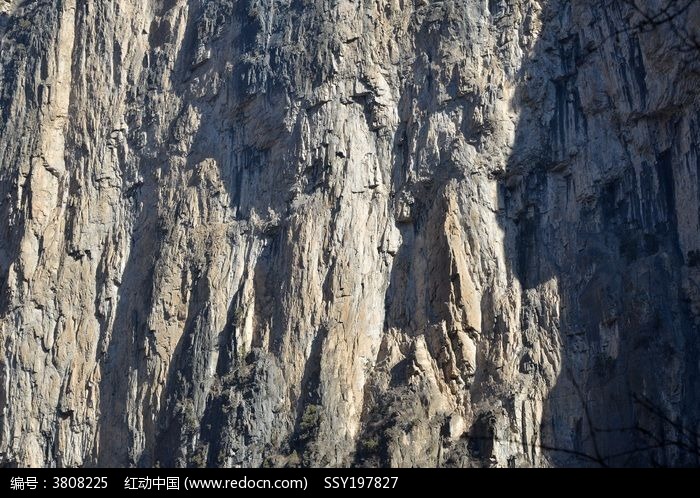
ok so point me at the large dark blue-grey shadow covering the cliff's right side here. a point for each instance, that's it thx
(627, 391)
